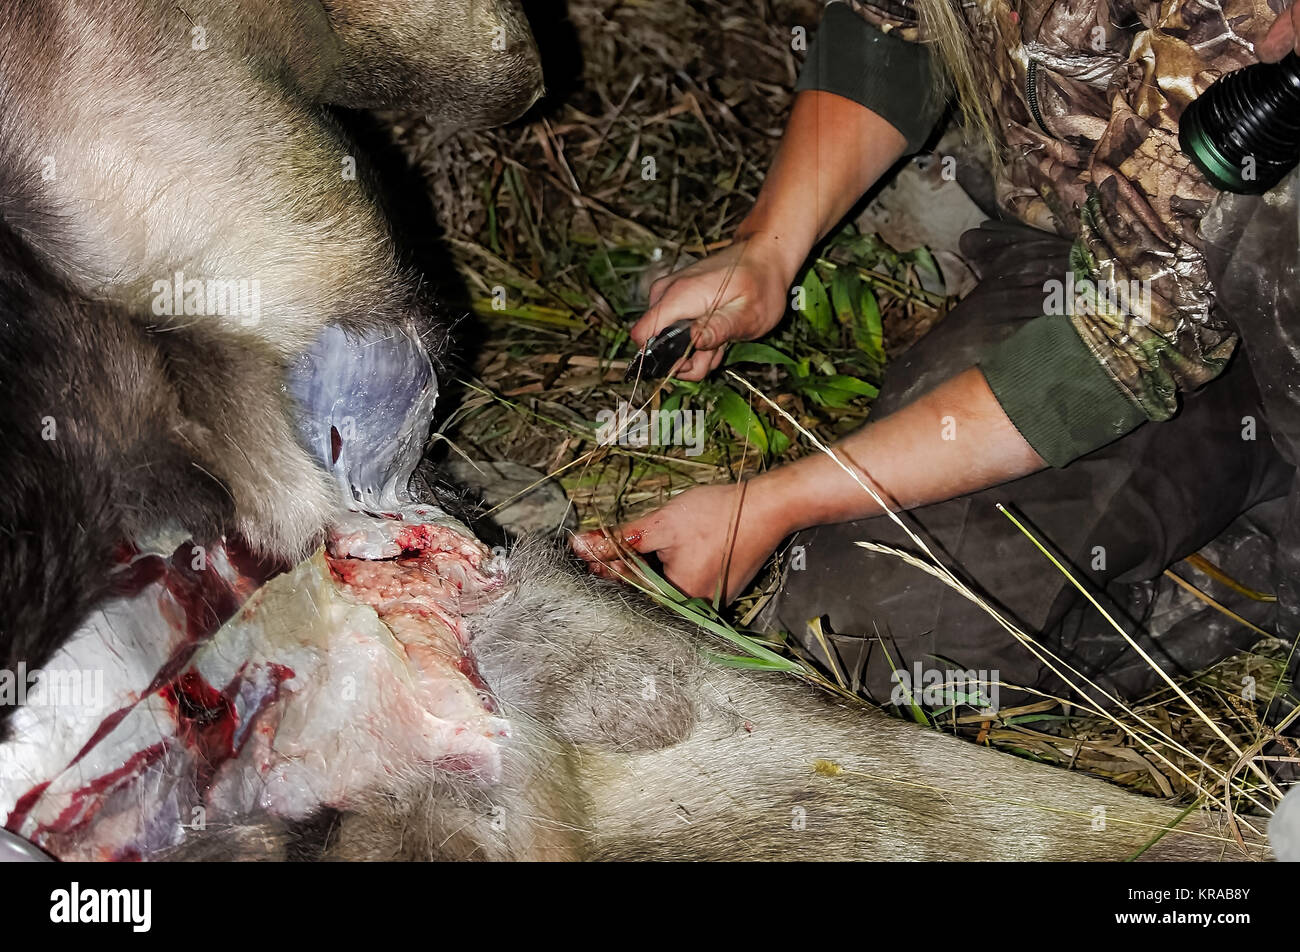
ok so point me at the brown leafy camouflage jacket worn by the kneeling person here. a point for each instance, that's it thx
(1086, 101)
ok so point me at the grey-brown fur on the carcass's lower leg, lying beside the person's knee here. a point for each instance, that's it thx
(629, 746)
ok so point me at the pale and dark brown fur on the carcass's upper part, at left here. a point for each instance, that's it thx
(148, 139)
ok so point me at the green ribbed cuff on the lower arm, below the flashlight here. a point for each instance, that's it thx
(1058, 393)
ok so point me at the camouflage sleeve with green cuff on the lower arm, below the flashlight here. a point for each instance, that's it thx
(1119, 343)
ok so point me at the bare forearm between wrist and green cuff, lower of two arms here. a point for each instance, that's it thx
(952, 442)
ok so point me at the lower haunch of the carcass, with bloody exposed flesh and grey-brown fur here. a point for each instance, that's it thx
(444, 704)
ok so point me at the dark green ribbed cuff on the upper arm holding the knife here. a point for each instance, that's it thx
(892, 77)
